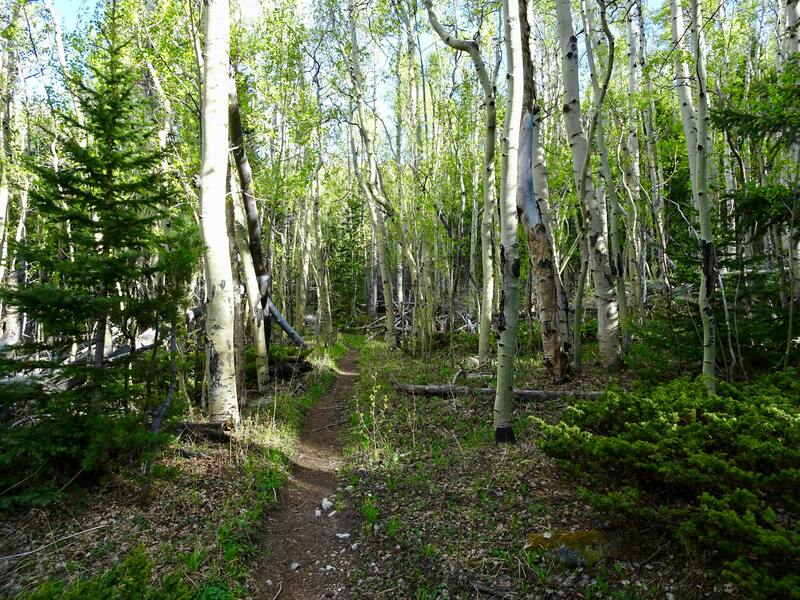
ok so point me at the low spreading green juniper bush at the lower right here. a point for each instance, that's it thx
(717, 471)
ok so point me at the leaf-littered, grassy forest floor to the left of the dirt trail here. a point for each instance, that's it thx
(199, 532)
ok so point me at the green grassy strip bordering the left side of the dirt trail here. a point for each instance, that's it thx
(260, 463)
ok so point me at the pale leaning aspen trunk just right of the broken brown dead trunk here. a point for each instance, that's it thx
(594, 207)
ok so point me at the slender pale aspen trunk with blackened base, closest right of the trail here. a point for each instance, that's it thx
(509, 251)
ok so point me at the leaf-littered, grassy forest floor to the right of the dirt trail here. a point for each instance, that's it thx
(443, 512)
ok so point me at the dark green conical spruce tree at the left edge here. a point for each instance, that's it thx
(113, 251)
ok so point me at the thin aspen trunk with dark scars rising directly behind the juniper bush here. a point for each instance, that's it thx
(703, 204)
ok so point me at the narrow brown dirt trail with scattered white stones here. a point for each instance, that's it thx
(304, 558)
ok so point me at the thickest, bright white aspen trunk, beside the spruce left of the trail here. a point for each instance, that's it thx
(223, 402)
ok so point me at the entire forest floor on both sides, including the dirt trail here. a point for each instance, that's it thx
(338, 486)
